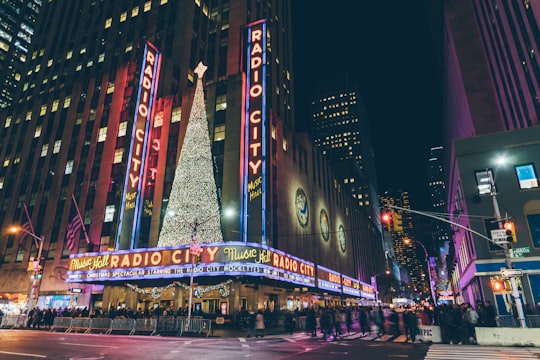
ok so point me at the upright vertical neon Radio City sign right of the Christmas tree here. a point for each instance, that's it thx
(253, 155)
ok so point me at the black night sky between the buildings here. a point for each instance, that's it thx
(386, 47)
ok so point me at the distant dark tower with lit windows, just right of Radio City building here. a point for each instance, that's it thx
(340, 129)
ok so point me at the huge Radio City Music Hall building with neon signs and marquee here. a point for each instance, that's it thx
(103, 115)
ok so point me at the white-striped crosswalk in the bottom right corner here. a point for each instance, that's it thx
(472, 352)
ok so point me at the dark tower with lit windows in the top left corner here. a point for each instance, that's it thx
(17, 19)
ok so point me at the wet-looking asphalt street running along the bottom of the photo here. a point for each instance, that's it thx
(35, 344)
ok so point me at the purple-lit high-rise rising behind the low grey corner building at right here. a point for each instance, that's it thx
(490, 72)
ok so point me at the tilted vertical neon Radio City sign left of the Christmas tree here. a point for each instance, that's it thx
(132, 200)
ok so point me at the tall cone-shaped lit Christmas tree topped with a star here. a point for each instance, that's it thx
(193, 204)
